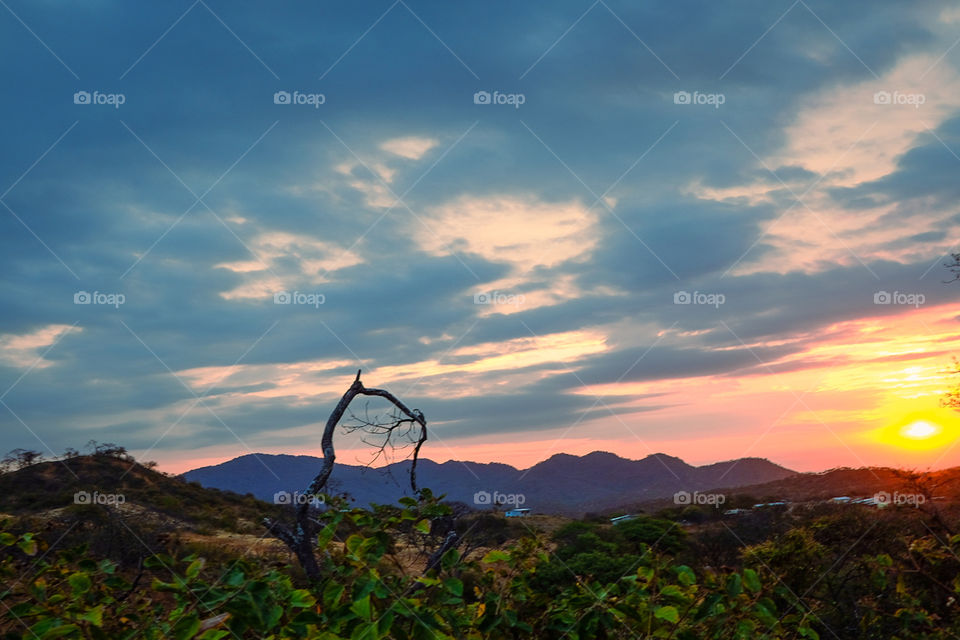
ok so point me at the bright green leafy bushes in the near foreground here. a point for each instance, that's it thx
(367, 594)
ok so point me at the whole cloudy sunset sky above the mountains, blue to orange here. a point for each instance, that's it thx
(709, 230)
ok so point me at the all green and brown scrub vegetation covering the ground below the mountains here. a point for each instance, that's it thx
(811, 571)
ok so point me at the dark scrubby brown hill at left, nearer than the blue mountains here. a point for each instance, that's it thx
(124, 511)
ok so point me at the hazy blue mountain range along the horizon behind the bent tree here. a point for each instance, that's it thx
(563, 484)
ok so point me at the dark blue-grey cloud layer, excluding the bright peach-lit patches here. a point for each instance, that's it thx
(199, 169)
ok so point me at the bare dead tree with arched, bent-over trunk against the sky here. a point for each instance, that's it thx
(403, 423)
